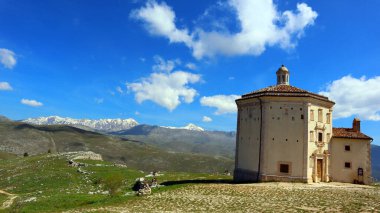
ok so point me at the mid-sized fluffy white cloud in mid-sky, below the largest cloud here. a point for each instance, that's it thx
(166, 89)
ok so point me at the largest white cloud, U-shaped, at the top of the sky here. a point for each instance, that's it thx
(261, 25)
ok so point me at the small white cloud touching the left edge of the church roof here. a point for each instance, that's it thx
(223, 103)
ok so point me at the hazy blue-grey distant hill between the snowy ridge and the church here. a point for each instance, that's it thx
(183, 140)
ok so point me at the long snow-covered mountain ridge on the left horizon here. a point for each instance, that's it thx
(107, 125)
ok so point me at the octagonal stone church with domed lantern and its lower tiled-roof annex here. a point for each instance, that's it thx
(286, 134)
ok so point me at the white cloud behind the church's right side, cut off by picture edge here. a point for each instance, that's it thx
(355, 96)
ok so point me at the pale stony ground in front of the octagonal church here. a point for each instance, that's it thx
(261, 197)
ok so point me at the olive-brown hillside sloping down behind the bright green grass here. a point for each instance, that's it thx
(18, 138)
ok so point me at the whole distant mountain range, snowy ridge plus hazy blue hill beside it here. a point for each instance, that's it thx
(188, 139)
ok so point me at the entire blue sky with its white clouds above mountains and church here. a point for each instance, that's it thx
(175, 62)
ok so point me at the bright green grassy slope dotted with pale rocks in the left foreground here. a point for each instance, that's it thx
(45, 183)
